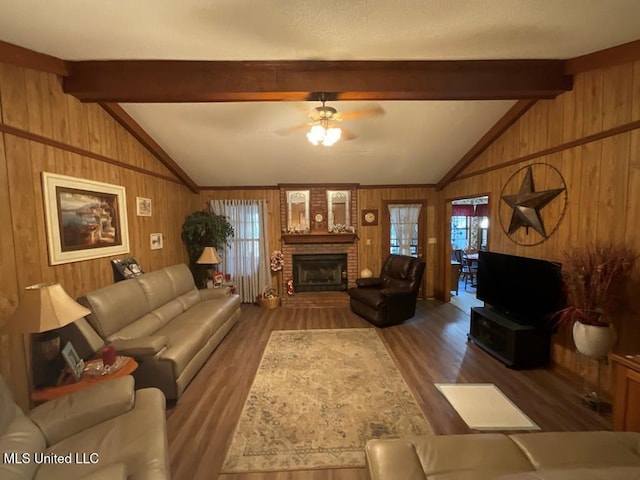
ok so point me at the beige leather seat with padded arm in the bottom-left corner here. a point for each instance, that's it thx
(105, 432)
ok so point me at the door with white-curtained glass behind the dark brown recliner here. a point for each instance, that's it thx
(391, 243)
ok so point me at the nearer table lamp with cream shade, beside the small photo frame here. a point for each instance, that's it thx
(42, 309)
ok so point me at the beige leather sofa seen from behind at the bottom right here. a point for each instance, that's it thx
(526, 456)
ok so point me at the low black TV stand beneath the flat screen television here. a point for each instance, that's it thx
(514, 344)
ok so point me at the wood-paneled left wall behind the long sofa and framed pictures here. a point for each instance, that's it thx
(42, 129)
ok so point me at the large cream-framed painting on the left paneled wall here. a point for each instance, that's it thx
(84, 219)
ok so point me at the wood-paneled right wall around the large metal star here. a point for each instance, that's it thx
(602, 177)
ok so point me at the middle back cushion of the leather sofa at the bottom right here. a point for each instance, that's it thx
(472, 456)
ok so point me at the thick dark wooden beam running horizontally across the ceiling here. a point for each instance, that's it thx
(152, 81)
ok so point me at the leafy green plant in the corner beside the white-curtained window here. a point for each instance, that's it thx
(204, 229)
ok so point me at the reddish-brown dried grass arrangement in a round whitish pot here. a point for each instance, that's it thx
(594, 276)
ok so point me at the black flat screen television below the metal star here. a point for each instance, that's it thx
(528, 290)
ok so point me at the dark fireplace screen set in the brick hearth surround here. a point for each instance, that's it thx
(320, 272)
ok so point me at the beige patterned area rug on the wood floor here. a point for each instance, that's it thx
(317, 397)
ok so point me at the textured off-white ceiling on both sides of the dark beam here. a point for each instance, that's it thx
(234, 144)
